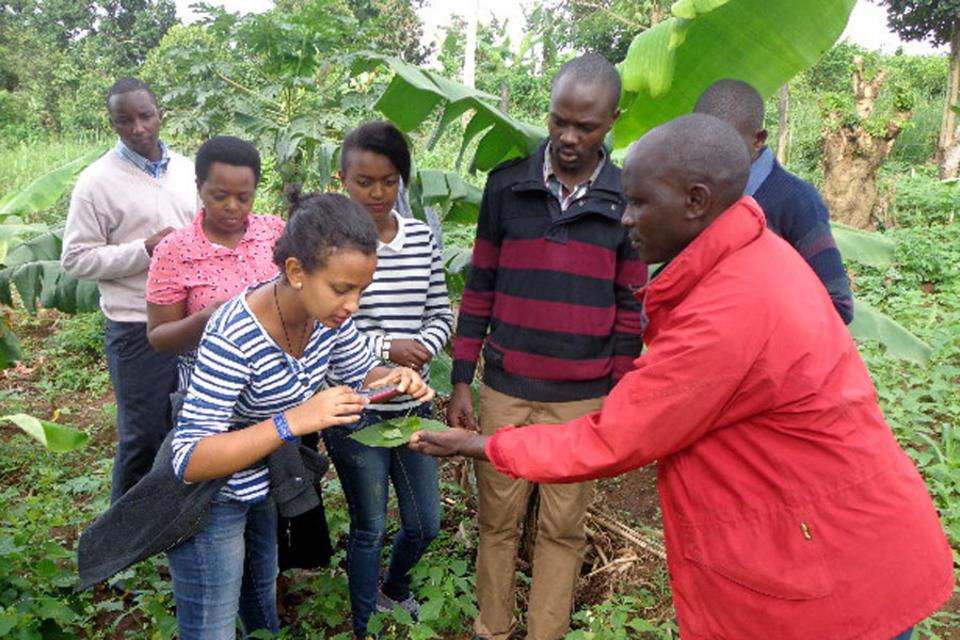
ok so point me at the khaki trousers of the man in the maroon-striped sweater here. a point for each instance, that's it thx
(561, 541)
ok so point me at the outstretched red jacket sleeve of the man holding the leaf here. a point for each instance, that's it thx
(683, 386)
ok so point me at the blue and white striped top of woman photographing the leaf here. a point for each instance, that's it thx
(243, 377)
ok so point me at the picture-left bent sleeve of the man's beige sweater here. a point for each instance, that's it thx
(86, 251)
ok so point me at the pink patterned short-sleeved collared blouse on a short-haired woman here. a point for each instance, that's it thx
(187, 266)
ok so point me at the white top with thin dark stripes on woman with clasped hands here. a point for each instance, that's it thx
(408, 297)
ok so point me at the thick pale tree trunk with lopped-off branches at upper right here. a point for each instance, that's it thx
(852, 154)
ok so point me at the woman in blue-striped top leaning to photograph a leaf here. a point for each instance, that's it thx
(281, 360)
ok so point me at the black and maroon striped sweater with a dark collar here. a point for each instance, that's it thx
(549, 298)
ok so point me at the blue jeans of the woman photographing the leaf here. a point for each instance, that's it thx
(230, 567)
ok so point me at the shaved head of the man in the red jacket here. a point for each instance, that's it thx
(679, 178)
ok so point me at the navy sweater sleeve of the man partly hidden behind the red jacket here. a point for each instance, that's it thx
(807, 229)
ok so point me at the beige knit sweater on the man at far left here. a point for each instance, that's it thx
(114, 208)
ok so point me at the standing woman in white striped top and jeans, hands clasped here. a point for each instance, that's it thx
(406, 318)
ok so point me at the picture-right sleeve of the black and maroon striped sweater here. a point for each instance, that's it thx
(627, 327)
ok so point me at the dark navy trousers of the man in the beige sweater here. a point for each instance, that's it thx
(143, 380)
